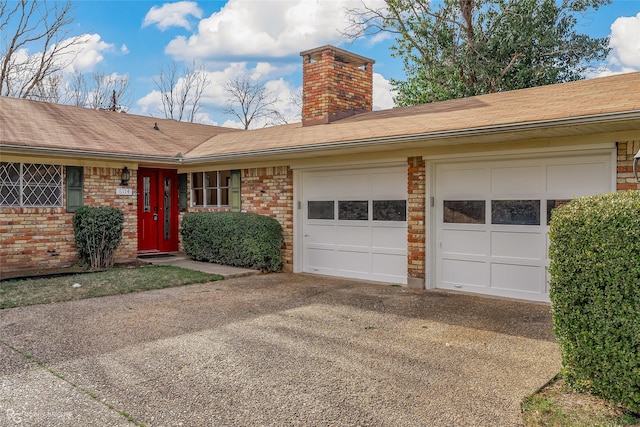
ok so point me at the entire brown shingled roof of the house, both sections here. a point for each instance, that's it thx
(598, 105)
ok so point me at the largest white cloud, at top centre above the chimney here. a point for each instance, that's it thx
(264, 29)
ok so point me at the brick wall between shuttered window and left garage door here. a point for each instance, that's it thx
(269, 191)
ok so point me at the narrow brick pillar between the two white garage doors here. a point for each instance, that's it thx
(416, 177)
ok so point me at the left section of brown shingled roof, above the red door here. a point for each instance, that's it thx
(47, 126)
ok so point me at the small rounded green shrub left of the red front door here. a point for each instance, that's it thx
(98, 233)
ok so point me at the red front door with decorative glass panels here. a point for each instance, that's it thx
(157, 210)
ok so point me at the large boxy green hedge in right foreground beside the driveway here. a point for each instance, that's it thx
(595, 294)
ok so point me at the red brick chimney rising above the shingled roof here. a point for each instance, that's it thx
(335, 84)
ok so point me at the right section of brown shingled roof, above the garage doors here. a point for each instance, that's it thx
(600, 103)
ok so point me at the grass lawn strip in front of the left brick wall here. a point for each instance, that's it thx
(23, 292)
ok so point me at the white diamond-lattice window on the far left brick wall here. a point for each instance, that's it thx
(30, 185)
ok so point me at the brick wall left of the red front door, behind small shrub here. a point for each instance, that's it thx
(43, 237)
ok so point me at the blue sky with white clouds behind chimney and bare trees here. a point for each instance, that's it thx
(264, 38)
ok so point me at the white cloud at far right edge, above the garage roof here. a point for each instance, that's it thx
(625, 42)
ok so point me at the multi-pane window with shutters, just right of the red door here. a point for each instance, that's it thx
(210, 189)
